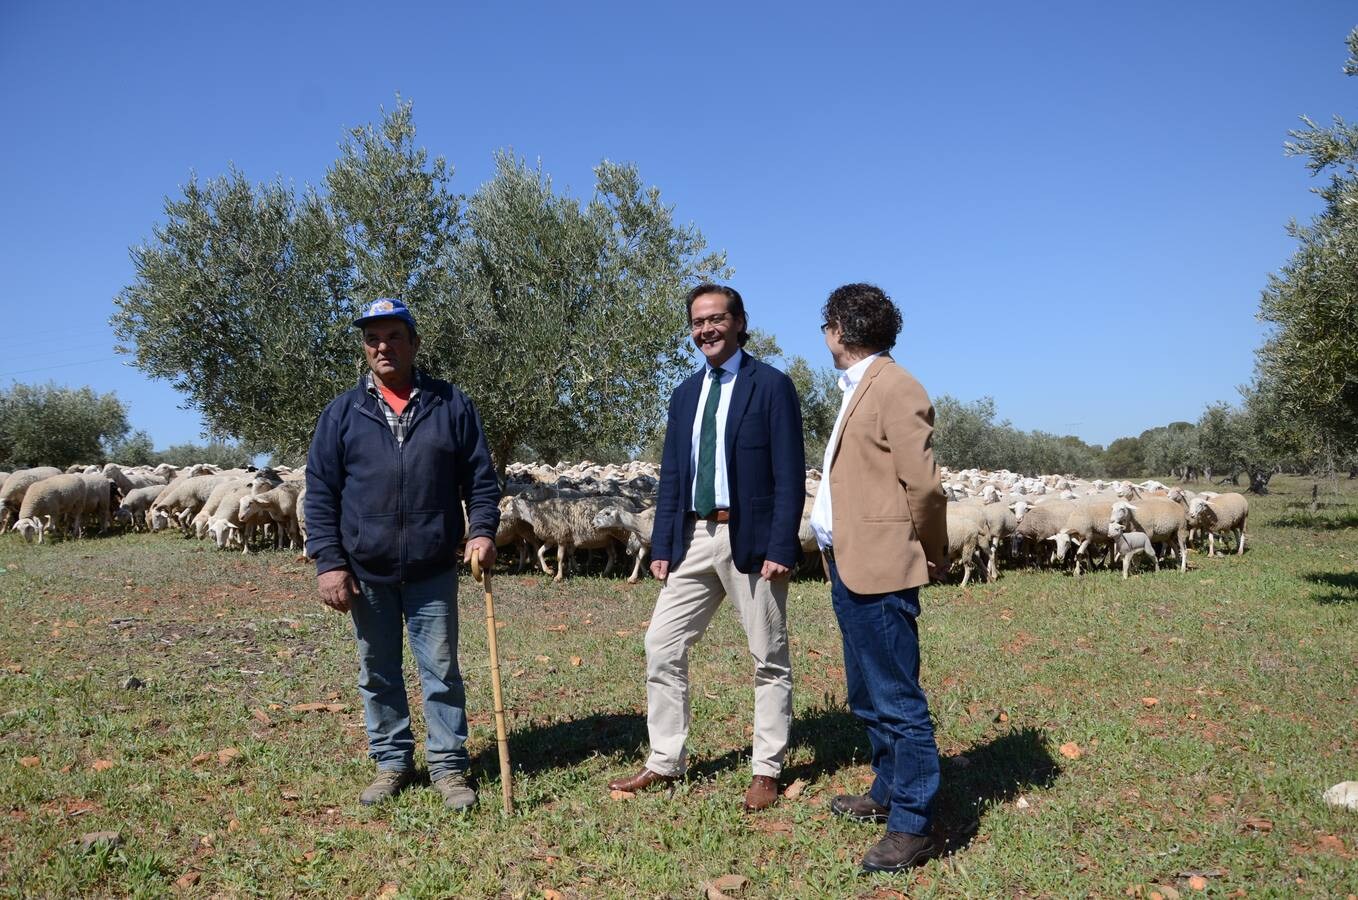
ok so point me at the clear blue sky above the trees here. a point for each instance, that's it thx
(1075, 204)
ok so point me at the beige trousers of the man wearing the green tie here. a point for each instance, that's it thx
(684, 610)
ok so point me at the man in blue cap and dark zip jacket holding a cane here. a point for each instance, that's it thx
(392, 465)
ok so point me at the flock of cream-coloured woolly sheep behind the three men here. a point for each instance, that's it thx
(567, 508)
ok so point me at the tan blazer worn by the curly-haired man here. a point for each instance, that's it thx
(890, 512)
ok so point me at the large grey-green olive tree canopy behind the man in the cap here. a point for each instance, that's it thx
(559, 317)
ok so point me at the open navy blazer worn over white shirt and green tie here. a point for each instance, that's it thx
(767, 469)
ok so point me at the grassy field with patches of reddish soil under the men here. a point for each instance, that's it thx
(1101, 738)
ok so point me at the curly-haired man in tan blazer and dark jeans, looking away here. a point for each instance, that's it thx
(882, 525)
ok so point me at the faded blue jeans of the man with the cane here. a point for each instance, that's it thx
(430, 610)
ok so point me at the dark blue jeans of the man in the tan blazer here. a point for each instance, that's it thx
(882, 670)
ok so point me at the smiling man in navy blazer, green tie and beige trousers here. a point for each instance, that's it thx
(733, 488)
